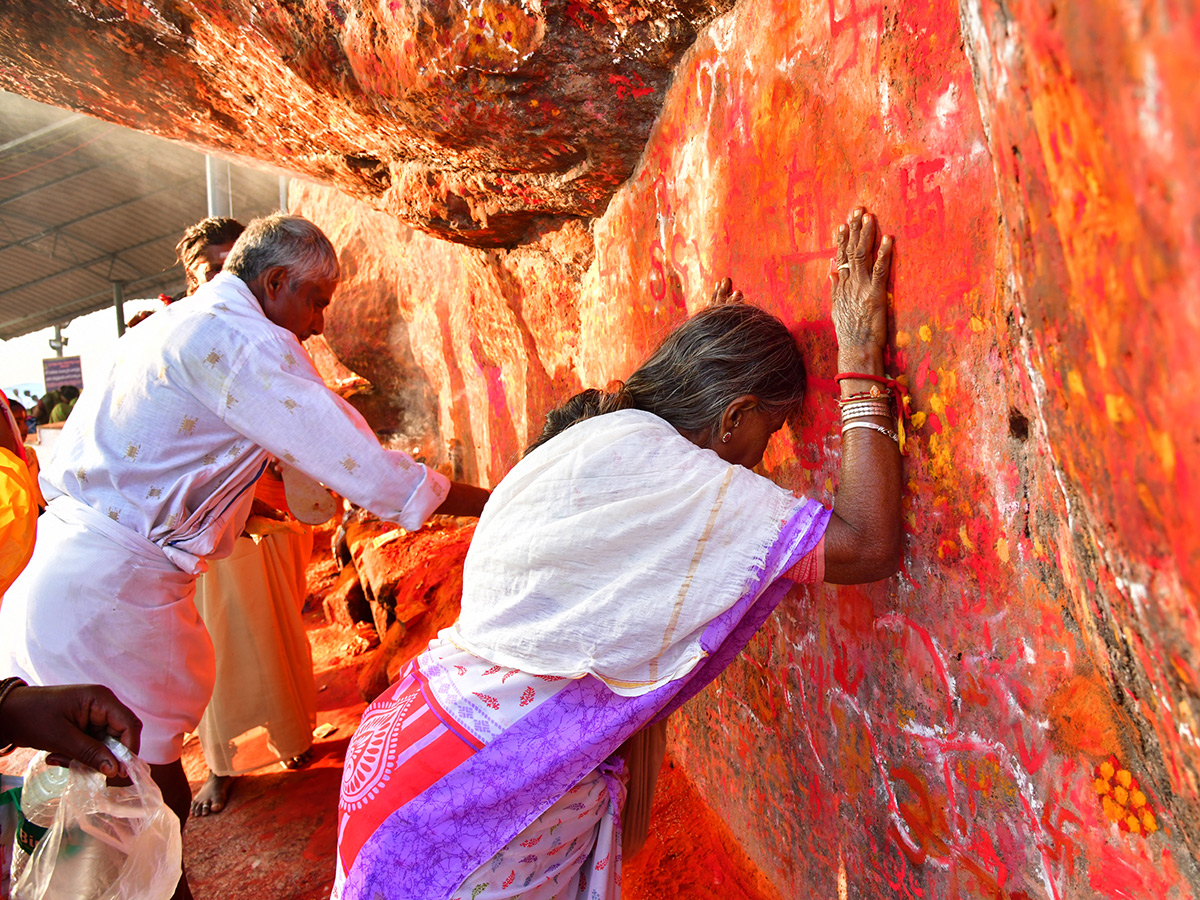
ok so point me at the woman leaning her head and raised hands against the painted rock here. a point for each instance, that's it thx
(617, 569)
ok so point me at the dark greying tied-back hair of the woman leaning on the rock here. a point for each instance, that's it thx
(719, 355)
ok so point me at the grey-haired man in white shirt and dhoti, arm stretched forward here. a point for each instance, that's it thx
(154, 472)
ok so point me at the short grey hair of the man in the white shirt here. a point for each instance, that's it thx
(290, 242)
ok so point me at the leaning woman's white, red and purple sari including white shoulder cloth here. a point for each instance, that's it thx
(622, 566)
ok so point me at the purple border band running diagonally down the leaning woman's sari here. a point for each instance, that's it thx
(427, 849)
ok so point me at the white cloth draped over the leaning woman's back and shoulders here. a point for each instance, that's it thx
(609, 550)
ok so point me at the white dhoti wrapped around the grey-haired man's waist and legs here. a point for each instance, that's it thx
(122, 615)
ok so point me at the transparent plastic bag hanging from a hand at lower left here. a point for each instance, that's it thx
(106, 843)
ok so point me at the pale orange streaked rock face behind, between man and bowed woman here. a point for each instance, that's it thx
(485, 338)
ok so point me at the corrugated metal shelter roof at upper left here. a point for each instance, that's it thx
(85, 205)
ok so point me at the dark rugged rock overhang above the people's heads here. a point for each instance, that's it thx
(471, 121)
